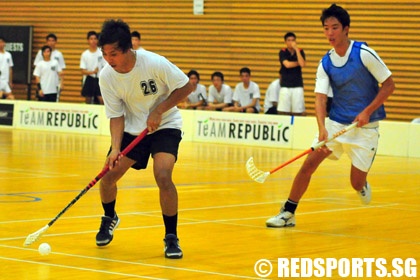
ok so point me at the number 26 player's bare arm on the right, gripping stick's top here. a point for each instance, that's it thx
(174, 98)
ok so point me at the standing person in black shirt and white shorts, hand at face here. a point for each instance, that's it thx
(292, 60)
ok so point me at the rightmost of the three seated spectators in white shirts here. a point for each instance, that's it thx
(246, 95)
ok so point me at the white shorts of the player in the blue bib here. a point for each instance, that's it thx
(360, 143)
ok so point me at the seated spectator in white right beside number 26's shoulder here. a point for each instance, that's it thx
(197, 99)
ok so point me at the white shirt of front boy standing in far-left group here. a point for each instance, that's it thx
(48, 72)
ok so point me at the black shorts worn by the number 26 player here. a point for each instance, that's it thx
(162, 141)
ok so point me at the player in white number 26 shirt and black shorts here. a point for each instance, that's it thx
(140, 90)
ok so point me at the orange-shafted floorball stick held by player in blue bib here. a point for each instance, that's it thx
(260, 176)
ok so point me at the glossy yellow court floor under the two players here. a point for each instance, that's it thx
(221, 217)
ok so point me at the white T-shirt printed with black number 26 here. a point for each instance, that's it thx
(135, 94)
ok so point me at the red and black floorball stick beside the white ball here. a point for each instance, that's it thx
(37, 234)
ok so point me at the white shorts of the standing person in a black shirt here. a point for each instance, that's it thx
(291, 100)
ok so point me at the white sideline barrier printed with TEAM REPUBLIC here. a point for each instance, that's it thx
(396, 139)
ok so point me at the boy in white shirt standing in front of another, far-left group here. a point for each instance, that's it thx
(47, 76)
